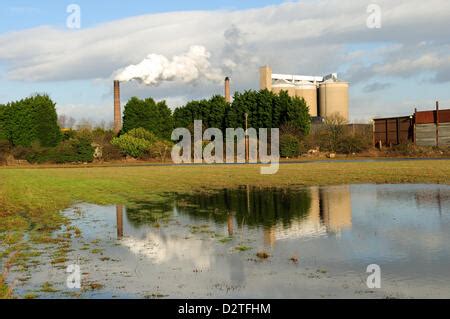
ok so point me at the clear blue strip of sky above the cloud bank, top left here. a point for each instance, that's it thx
(18, 15)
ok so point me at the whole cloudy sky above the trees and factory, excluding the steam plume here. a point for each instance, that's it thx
(403, 64)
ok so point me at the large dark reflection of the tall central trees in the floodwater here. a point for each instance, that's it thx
(251, 205)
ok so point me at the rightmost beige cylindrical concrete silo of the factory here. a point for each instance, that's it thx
(333, 98)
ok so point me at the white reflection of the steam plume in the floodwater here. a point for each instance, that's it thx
(162, 249)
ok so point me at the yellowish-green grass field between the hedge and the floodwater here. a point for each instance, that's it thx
(31, 198)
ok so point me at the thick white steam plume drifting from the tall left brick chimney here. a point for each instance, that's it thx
(187, 68)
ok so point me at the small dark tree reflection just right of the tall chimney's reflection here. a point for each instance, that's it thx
(147, 213)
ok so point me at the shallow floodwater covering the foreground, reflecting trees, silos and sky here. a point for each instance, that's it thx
(252, 242)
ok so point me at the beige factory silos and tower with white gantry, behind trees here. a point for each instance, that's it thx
(324, 95)
